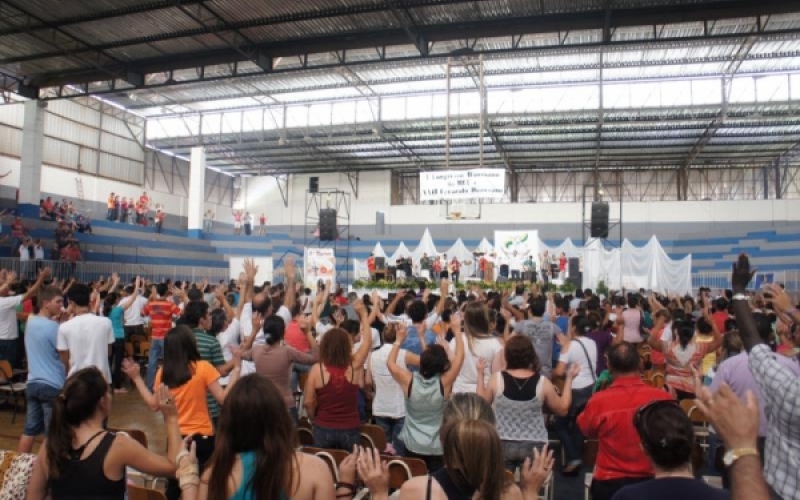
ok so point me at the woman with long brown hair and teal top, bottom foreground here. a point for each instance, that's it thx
(255, 457)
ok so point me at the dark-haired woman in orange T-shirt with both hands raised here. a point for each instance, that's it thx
(188, 378)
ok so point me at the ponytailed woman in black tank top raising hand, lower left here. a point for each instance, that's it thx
(80, 459)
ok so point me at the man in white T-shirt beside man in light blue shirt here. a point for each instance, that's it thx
(86, 339)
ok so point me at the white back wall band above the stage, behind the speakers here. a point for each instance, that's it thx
(555, 221)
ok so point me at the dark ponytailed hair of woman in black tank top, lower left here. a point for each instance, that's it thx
(77, 403)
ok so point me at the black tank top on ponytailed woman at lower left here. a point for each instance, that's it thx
(85, 479)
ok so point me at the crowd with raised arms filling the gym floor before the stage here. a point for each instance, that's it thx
(472, 384)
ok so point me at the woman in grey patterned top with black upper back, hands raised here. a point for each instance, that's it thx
(518, 396)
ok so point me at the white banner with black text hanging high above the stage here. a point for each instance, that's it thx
(462, 184)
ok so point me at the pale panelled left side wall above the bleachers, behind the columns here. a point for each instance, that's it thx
(105, 152)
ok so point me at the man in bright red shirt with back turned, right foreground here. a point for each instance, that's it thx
(608, 417)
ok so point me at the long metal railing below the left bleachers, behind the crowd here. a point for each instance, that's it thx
(90, 271)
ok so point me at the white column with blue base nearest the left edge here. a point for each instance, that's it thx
(30, 174)
